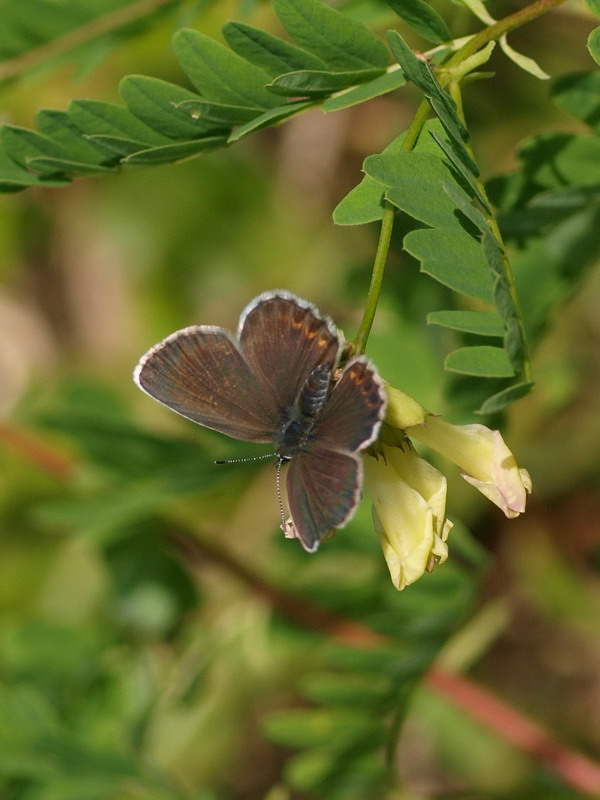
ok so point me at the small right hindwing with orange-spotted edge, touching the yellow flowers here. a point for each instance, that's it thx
(352, 416)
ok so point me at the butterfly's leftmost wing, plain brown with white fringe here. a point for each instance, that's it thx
(200, 373)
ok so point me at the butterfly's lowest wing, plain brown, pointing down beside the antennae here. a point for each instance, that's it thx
(323, 490)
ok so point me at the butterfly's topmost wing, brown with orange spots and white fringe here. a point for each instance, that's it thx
(283, 338)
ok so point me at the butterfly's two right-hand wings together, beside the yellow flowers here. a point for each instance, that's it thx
(324, 480)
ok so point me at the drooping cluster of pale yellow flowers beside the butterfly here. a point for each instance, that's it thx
(409, 494)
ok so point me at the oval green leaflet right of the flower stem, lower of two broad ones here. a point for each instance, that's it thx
(453, 258)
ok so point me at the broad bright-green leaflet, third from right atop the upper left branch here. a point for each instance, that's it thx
(219, 73)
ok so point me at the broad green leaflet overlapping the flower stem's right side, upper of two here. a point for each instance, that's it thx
(416, 181)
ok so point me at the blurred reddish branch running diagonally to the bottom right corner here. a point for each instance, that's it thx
(574, 769)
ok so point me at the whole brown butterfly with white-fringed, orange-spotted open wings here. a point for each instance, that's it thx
(279, 381)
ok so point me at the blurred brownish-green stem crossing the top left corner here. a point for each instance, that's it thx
(100, 26)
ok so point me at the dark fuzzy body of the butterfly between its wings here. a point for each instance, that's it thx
(301, 417)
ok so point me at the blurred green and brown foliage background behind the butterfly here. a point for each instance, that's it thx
(132, 666)
